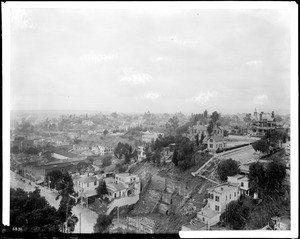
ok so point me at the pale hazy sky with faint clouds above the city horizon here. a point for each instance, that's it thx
(162, 61)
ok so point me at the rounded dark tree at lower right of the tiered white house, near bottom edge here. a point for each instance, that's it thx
(235, 215)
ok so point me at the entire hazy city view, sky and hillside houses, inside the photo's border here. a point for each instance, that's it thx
(137, 121)
